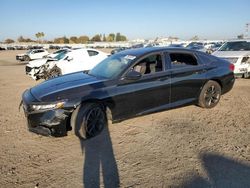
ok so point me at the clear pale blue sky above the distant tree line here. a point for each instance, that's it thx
(148, 19)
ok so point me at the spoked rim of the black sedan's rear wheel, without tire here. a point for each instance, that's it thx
(212, 95)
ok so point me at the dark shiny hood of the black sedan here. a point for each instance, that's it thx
(69, 86)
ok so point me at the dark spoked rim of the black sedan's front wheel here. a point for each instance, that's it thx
(94, 121)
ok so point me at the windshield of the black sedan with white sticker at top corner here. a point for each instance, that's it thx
(112, 66)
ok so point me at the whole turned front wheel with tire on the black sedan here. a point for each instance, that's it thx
(88, 120)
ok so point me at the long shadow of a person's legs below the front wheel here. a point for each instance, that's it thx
(99, 162)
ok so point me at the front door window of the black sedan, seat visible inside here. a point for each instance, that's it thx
(149, 65)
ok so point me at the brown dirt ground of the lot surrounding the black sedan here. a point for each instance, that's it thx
(185, 147)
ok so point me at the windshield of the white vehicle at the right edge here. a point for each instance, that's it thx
(236, 46)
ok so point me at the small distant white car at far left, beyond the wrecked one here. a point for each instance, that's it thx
(32, 54)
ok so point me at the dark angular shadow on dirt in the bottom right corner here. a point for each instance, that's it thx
(222, 172)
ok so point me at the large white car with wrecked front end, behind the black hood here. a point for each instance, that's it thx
(65, 63)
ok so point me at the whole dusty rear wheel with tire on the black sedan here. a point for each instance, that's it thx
(210, 95)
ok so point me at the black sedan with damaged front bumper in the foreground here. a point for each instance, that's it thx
(127, 84)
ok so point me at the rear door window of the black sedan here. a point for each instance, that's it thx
(182, 59)
